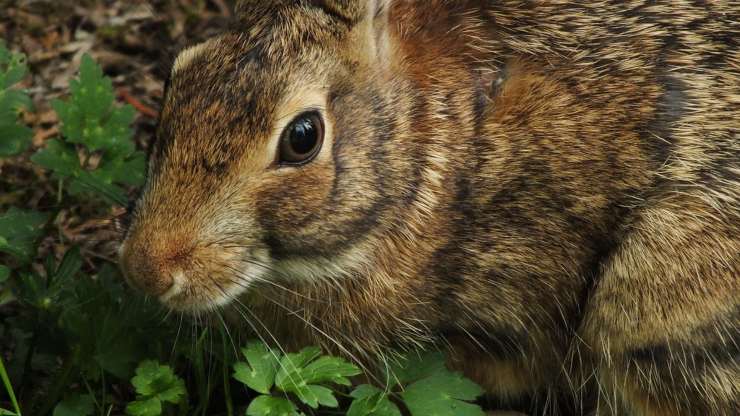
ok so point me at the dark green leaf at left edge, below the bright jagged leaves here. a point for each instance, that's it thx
(19, 231)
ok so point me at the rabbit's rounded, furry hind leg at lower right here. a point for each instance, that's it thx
(663, 323)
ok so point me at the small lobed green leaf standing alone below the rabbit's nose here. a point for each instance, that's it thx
(155, 380)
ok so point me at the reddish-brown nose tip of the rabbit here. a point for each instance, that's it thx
(150, 270)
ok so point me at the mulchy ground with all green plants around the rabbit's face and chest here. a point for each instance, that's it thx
(80, 84)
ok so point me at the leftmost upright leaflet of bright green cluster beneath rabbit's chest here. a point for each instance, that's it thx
(259, 373)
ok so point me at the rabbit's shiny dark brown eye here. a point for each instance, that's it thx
(301, 139)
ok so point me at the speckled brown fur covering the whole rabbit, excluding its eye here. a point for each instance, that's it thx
(548, 190)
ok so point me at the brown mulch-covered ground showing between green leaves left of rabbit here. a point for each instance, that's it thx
(135, 42)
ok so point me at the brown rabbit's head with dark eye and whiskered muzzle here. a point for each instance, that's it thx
(280, 154)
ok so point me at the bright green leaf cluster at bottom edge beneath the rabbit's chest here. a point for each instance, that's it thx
(421, 384)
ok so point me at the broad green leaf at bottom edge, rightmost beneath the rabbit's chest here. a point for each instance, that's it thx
(443, 394)
